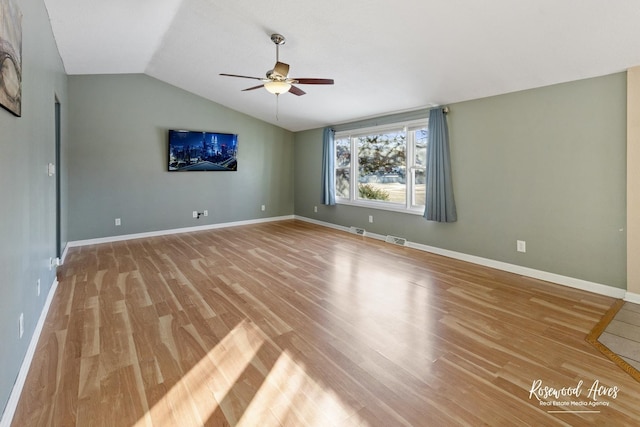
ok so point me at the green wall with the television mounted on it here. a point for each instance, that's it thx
(118, 160)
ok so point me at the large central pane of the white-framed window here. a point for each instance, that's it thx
(382, 167)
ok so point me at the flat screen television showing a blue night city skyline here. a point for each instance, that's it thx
(202, 151)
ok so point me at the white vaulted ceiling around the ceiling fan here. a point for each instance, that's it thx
(385, 56)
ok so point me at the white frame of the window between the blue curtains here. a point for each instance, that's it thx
(408, 127)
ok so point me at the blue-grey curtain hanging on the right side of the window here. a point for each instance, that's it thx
(440, 205)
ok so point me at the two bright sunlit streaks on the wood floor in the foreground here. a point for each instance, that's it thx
(288, 395)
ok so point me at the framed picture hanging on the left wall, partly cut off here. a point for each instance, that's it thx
(11, 56)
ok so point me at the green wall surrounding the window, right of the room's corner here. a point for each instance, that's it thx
(547, 166)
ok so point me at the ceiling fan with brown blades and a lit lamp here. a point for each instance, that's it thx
(278, 80)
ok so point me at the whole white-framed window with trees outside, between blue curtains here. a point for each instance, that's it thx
(383, 167)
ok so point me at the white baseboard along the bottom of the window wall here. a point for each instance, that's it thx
(572, 282)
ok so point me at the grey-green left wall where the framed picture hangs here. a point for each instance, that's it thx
(27, 193)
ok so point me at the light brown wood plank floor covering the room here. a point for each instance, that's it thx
(292, 324)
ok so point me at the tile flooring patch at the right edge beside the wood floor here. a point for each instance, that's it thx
(622, 335)
